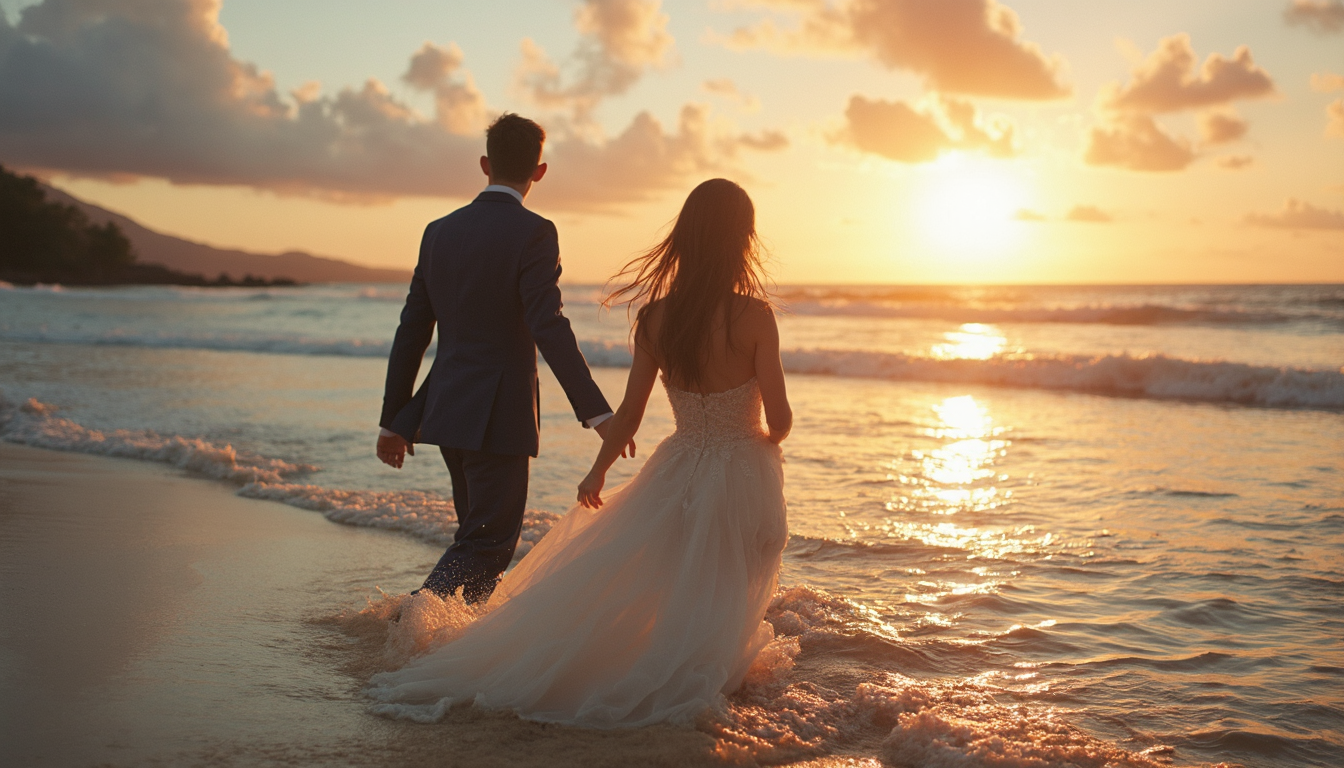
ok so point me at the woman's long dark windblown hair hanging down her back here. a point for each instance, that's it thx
(710, 256)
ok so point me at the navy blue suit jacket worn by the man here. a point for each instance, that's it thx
(487, 276)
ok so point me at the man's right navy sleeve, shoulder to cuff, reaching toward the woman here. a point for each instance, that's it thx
(541, 293)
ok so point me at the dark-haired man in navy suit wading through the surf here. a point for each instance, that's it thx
(487, 275)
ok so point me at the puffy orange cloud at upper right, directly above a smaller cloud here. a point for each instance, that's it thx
(1167, 81)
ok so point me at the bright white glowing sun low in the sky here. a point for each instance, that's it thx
(968, 204)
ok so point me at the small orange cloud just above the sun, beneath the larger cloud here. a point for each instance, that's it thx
(897, 131)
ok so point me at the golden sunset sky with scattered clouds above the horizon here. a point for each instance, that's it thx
(915, 142)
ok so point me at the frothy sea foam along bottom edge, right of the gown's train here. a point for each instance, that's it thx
(782, 715)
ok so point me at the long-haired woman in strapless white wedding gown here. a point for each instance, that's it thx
(647, 605)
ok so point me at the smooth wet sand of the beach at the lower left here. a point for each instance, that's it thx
(154, 619)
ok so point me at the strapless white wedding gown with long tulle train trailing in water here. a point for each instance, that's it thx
(644, 611)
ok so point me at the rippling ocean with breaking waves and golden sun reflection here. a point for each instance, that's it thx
(1029, 525)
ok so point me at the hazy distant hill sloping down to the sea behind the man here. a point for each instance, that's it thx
(196, 258)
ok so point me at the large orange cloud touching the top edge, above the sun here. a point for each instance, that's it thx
(970, 48)
